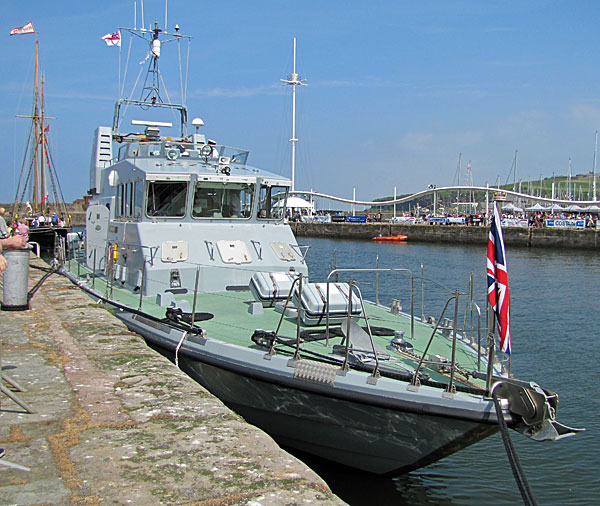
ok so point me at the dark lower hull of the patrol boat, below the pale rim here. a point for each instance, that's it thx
(370, 438)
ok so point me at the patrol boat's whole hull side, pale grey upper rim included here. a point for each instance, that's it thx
(372, 432)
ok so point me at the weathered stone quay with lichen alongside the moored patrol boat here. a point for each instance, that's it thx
(116, 423)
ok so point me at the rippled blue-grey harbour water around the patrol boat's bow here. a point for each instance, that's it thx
(555, 317)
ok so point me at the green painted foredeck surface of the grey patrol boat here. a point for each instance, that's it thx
(232, 323)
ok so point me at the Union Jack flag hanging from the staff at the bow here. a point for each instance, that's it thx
(497, 276)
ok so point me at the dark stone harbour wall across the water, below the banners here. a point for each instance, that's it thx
(534, 237)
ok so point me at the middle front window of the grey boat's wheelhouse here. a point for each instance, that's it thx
(222, 200)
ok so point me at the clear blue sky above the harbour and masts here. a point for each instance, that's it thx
(396, 89)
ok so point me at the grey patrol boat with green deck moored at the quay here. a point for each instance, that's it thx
(189, 245)
